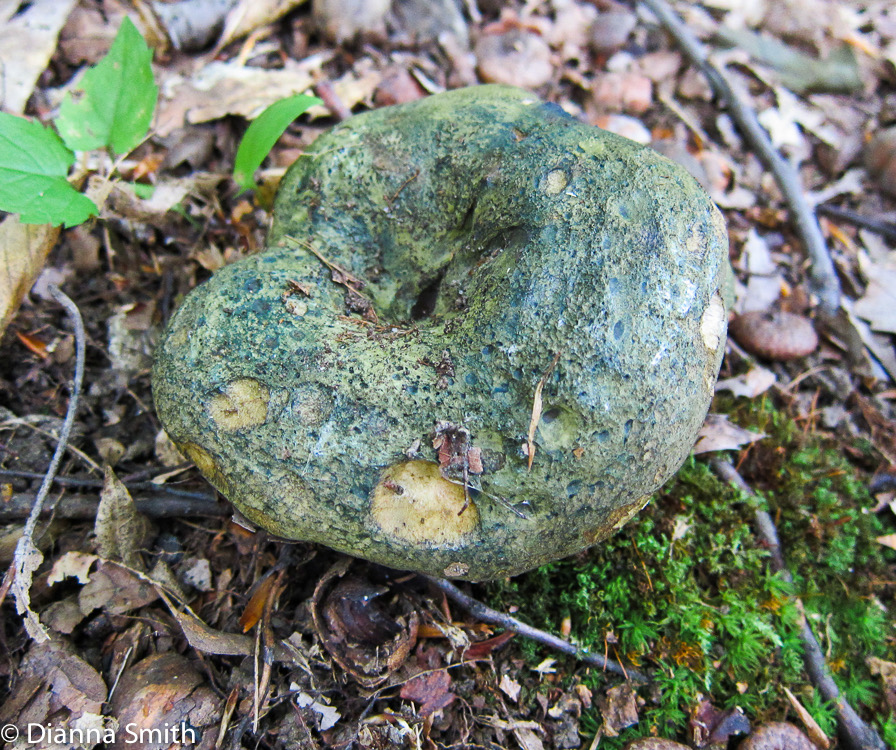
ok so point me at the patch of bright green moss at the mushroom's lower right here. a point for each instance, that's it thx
(685, 590)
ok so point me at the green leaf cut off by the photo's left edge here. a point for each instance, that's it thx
(34, 163)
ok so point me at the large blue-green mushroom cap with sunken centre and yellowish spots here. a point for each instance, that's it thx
(453, 262)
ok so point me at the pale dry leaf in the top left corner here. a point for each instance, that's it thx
(27, 42)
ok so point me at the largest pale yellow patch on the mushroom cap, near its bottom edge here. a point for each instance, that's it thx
(413, 502)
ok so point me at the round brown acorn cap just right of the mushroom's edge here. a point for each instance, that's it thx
(774, 334)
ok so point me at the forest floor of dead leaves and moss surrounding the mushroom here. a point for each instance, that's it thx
(241, 648)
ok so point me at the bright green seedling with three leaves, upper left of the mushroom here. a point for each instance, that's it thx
(111, 107)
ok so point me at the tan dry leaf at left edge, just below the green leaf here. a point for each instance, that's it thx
(23, 250)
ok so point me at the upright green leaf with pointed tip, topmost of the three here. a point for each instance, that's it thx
(114, 102)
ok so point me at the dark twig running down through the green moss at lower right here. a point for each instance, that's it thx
(856, 733)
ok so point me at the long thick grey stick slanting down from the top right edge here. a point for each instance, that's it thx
(822, 275)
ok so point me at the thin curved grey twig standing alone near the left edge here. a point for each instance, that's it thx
(27, 558)
